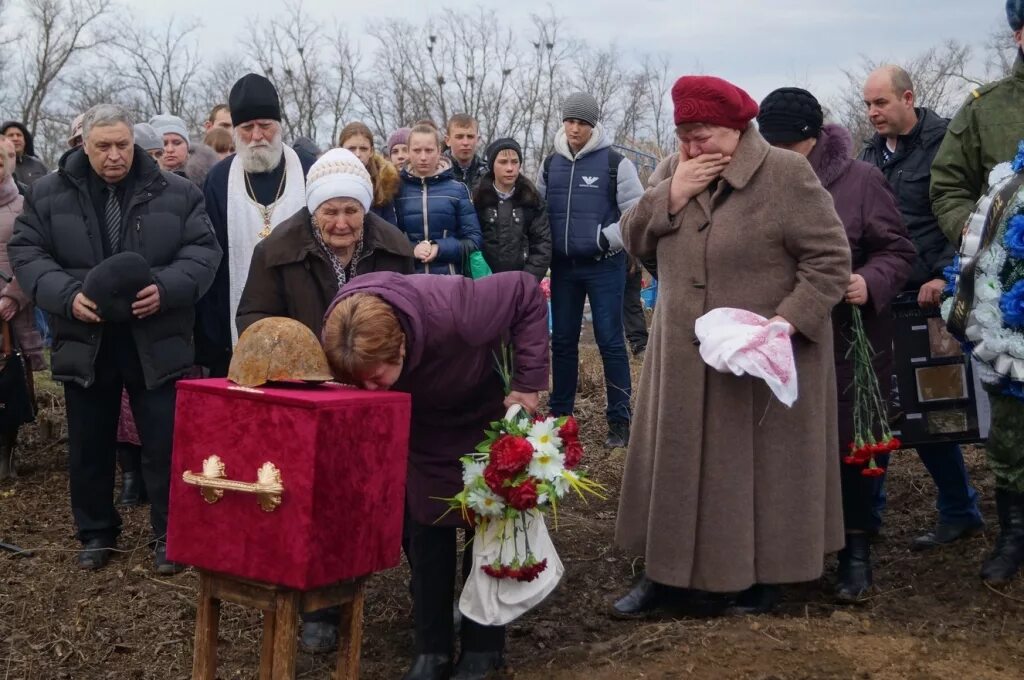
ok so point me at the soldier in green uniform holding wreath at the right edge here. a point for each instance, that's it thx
(985, 134)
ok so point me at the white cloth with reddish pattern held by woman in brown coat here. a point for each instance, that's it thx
(742, 343)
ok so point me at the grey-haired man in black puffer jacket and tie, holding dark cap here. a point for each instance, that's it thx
(110, 198)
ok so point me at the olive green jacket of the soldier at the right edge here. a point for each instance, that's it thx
(983, 135)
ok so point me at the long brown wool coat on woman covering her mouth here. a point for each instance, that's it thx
(724, 487)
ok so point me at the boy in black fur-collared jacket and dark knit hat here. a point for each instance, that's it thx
(513, 215)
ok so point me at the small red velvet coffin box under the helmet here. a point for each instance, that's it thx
(342, 454)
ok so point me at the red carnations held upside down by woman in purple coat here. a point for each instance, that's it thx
(870, 412)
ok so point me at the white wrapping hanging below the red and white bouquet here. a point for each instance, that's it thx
(493, 602)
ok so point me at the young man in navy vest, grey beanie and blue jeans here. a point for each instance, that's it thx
(588, 187)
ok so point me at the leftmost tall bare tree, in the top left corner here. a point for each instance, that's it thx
(58, 33)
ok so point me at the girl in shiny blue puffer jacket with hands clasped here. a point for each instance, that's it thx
(435, 209)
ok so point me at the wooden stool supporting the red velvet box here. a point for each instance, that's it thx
(282, 608)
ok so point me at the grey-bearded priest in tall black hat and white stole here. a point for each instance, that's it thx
(247, 195)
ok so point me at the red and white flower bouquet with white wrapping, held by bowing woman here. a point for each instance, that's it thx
(520, 474)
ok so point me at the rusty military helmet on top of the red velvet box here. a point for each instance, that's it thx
(278, 349)
